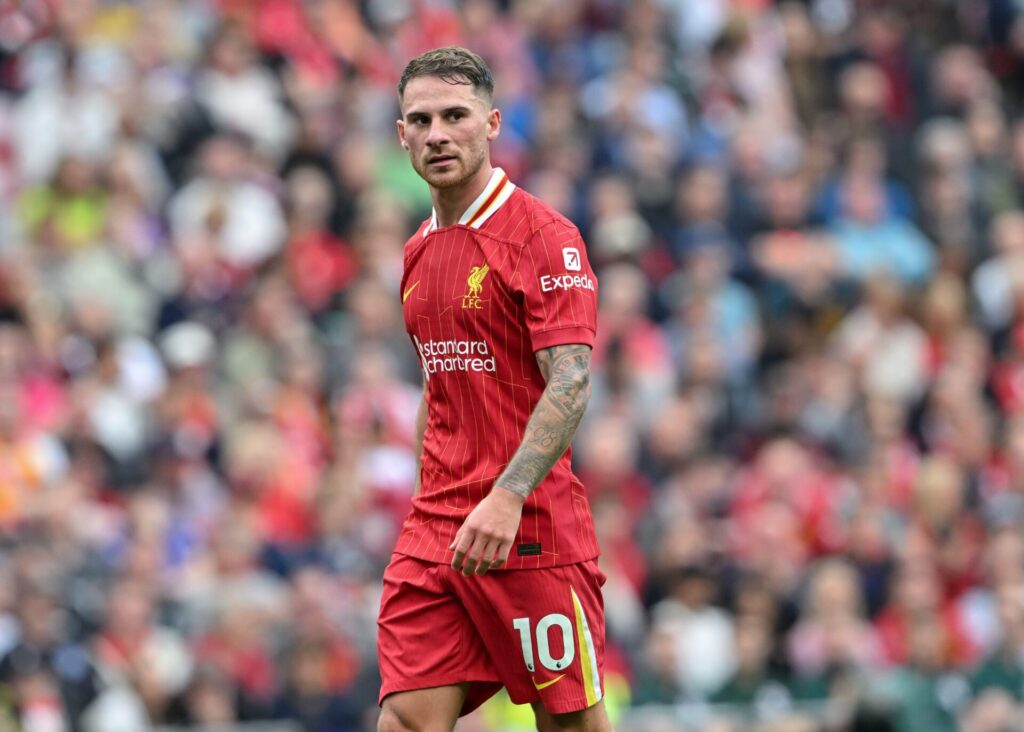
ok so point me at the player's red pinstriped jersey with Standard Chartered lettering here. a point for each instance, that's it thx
(480, 298)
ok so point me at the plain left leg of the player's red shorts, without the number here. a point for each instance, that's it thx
(425, 638)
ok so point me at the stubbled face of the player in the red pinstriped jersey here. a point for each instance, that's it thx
(447, 130)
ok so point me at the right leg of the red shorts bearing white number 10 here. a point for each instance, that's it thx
(544, 630)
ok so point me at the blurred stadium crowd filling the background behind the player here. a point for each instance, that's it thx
(805, 448)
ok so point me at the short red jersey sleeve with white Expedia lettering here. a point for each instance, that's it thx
(560, 288)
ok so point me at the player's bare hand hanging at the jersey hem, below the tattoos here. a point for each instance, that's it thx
(486, 538)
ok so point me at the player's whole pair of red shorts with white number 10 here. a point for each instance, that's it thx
(539, 633)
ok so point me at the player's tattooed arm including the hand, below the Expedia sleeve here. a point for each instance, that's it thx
(486, 538)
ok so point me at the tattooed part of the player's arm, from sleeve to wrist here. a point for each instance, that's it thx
(556, 418)
